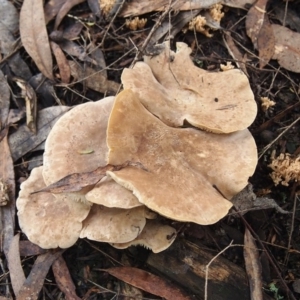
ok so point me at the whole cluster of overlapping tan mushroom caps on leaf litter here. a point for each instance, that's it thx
(184, 125)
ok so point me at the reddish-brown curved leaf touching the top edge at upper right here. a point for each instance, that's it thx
(260, 31)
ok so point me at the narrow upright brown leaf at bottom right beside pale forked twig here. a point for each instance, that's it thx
(253, 266)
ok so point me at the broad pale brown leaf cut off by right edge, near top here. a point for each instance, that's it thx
(287, 48)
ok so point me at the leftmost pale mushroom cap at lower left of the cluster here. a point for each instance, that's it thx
(48, 221)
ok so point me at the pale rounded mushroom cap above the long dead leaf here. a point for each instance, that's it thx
(77, 142)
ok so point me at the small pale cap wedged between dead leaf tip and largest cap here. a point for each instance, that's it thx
(110, 194)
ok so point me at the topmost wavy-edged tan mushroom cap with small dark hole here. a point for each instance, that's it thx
(175, 90)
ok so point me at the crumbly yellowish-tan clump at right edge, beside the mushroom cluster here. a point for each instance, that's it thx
(285, 169)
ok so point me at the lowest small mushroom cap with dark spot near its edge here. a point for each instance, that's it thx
(155, 236)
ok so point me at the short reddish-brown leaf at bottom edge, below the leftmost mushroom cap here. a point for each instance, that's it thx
(63, 279)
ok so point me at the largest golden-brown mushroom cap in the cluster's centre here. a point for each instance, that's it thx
(189, 171)
